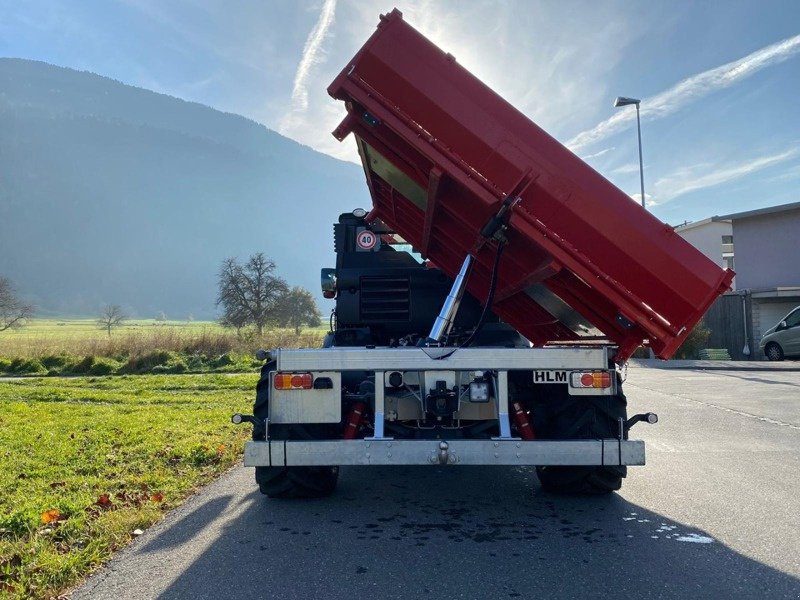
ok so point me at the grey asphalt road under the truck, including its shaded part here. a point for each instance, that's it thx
(714, 514)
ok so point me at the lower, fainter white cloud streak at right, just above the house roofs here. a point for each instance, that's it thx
(689, 180)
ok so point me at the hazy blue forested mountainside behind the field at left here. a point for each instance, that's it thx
(114, 194)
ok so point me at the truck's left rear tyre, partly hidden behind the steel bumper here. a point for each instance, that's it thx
(288, 482)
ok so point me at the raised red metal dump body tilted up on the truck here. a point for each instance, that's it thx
(442, 152)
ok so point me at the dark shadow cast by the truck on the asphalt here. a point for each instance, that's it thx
(471, 532)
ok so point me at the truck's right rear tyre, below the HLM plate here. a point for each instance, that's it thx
(579, 418)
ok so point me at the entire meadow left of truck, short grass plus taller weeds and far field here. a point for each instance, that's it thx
(88, 461)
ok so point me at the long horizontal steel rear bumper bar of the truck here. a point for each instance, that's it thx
(435, 452)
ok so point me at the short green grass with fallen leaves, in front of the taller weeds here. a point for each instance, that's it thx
(85, 461)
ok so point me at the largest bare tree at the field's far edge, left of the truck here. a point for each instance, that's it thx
(249, 292)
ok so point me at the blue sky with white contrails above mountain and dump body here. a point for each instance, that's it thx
(719, 81)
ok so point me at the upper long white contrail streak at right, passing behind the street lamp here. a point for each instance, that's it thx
(689, 90)
